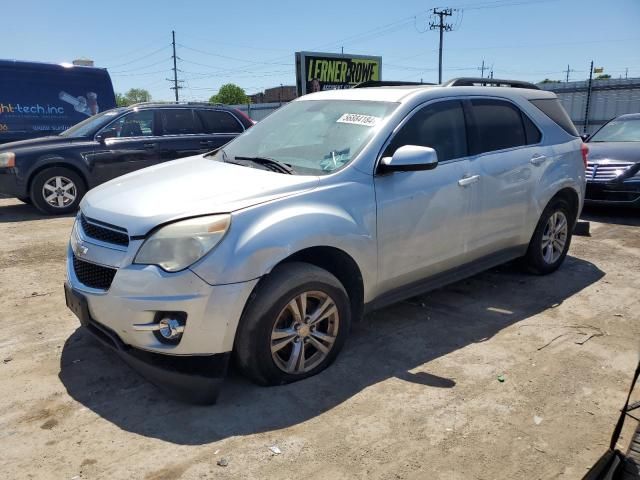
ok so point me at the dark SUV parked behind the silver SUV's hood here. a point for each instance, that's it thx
(54, 173)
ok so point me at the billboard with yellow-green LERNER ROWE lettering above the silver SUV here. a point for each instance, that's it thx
(316, 71)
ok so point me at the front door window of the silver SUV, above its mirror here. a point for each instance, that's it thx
(440, 126)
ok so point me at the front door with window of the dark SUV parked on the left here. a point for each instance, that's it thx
(129, 143)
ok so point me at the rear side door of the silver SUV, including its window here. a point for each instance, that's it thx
(507, 149)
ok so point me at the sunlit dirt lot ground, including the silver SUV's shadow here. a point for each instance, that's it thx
(415, 394)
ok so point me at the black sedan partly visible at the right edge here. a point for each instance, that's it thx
(613, 169)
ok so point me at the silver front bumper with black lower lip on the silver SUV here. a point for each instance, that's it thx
(191, 368)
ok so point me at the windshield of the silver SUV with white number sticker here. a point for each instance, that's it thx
(314, 137)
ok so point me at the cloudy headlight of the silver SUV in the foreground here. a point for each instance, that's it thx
(177, 245)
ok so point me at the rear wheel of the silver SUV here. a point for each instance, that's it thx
(551, 239)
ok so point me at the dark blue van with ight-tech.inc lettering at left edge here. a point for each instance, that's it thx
(42, 99)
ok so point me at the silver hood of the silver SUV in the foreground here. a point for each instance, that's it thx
(189, 187)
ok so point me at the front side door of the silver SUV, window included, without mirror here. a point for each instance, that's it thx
(423, 216)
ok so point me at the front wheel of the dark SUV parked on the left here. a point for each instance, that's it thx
(57, 190)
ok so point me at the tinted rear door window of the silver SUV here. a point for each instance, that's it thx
(499, 125)
